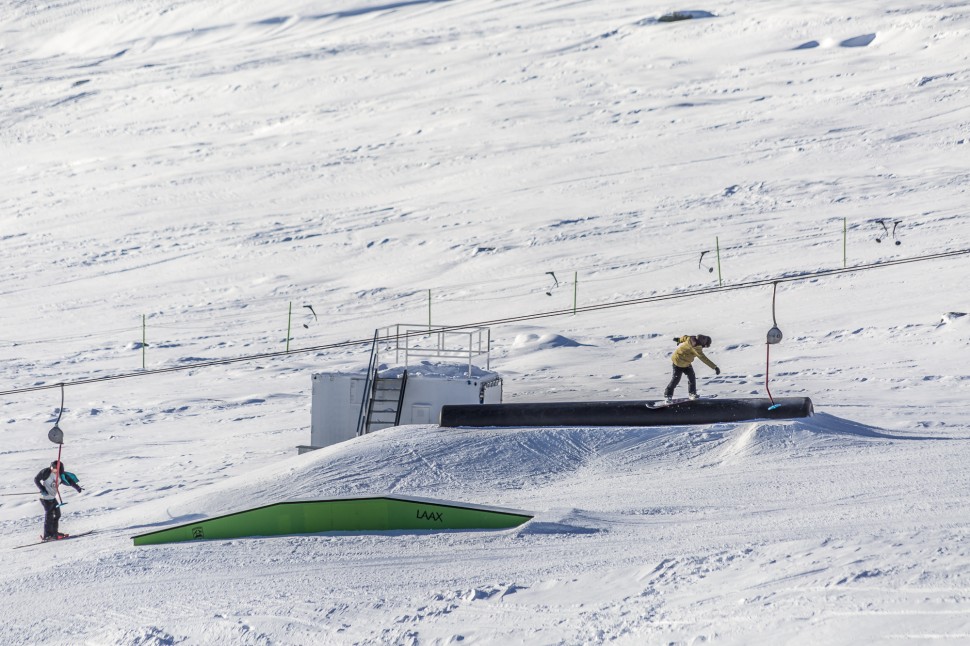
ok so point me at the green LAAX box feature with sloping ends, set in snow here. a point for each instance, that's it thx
(376, 514)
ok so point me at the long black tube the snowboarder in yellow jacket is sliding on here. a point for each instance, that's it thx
(625, 413)
